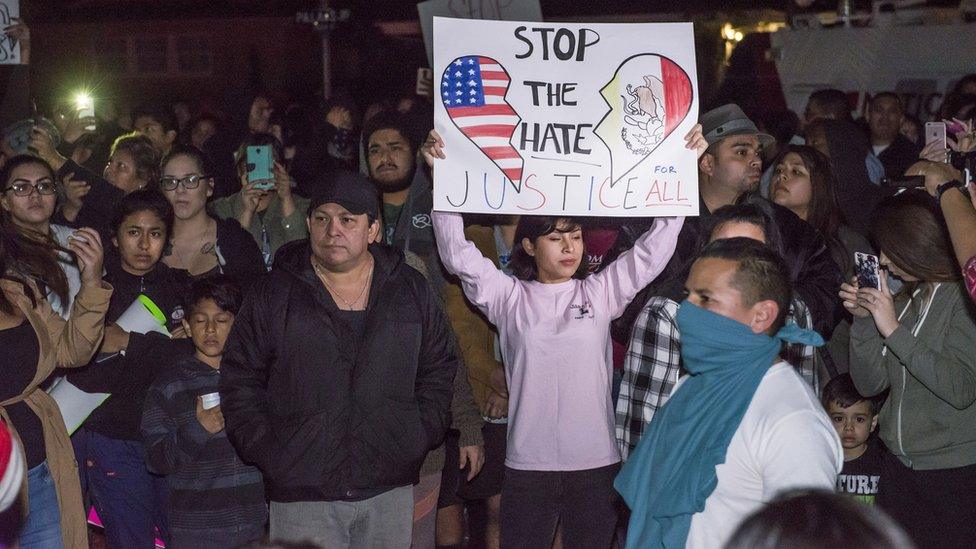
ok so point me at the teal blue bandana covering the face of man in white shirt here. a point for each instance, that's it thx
(672, 471)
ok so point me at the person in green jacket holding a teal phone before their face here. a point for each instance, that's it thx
(273, 216)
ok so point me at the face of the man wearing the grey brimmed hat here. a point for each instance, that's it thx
(736, 163)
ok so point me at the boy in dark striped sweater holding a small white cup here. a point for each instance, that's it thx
(215, 500)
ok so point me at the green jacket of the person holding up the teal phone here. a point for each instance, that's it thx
(280, 230)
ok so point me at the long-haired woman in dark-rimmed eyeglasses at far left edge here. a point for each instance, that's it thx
(28, 201)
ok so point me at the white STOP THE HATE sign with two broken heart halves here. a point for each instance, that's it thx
(565, 119)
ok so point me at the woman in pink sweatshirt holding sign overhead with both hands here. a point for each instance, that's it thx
(553, 321)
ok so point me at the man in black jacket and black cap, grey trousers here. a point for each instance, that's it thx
(337, 379)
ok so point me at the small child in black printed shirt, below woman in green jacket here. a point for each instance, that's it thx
(855, 418)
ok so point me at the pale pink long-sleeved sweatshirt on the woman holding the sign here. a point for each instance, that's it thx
(555, 341)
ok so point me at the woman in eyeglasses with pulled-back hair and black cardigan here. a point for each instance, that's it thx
(202, 244)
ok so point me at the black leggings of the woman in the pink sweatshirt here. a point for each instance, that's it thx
(583, 502)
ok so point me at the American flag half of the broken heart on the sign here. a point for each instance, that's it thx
(473, 91)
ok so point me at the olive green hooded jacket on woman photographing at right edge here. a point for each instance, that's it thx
(928, 418)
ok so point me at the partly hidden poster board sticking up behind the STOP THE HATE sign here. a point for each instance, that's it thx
(502, 10)
